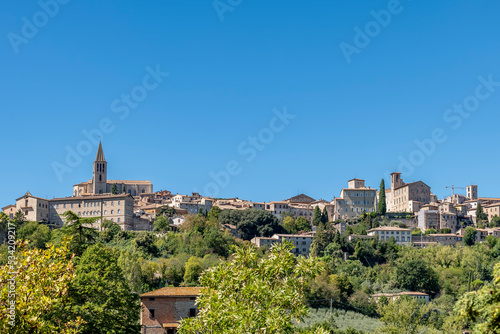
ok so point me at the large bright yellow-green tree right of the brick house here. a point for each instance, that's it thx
(252, 295)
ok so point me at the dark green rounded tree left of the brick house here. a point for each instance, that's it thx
(101, 295)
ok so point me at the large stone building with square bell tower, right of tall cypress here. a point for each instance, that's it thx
(400, 194)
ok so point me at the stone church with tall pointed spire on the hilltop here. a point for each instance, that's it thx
(101, 185)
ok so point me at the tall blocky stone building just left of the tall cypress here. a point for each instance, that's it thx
(354, 200)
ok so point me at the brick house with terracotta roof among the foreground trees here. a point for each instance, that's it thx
(163, 309)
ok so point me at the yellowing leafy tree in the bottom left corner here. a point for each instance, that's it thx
(43, 280)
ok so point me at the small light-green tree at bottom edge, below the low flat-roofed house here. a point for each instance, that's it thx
(405, 315)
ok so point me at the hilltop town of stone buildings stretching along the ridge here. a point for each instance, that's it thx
(133, 205)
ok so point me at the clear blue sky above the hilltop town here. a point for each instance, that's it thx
(352, 119)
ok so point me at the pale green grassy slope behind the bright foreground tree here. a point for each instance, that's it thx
(343, 319)
